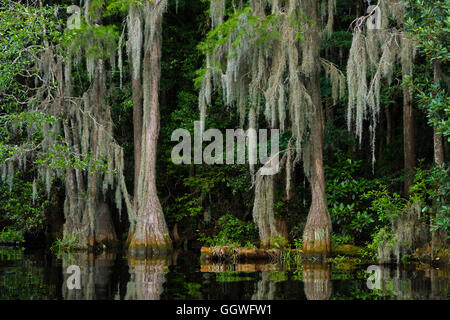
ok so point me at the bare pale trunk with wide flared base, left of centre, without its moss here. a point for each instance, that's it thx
(149, 234)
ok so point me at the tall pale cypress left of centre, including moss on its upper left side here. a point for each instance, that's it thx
(148, 231)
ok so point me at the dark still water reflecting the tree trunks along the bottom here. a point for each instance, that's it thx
(38, 275)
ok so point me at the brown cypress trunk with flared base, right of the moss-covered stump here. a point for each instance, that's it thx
(317, 233)
